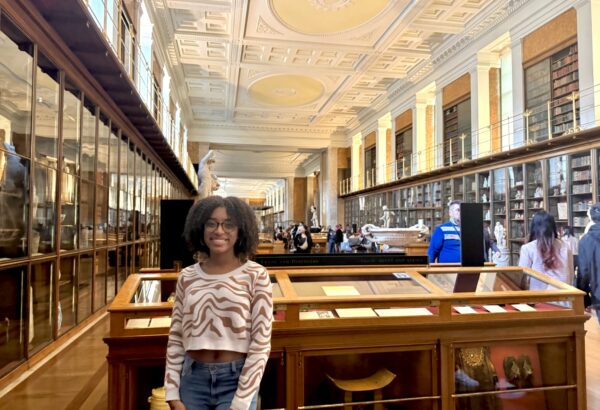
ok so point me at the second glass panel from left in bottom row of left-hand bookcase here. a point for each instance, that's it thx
(40, 296)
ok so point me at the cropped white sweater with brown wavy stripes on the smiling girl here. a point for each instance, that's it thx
(230, 311)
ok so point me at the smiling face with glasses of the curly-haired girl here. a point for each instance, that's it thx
(220, 233)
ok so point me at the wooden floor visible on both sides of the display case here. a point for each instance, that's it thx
(77, 377)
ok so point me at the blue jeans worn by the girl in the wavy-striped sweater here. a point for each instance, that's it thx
(210, 385)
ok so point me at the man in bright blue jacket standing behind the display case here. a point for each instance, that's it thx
(445, 241)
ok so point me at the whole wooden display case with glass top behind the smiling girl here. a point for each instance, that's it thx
(449, 335)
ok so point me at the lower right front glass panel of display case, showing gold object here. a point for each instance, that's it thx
(514, 375)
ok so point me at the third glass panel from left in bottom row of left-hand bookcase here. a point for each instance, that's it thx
(67, 276)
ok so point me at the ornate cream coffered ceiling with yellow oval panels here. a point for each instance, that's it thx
(297, 74)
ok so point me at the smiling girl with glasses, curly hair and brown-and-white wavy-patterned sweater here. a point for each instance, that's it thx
(220, 335)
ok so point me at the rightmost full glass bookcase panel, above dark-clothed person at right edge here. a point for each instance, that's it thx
(581, 190)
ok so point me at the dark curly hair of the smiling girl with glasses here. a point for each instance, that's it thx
(240, 214)
